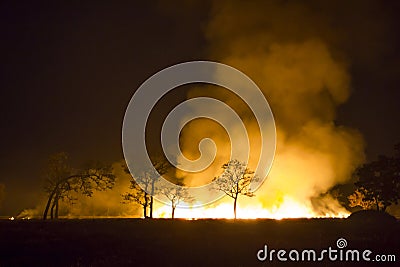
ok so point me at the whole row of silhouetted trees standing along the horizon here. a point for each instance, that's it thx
(376, 184)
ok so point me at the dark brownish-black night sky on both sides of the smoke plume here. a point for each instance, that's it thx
(68, 71)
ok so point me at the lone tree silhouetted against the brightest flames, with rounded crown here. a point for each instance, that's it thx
(235, 180)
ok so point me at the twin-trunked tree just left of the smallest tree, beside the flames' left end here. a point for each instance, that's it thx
(143, 185)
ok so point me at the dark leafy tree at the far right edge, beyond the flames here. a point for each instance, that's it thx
(379, 181)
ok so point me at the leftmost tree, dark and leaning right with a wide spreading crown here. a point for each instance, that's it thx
(62, 180)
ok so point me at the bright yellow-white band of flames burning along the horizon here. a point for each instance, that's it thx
(289, 208)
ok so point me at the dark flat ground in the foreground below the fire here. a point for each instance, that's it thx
(137, 242)
